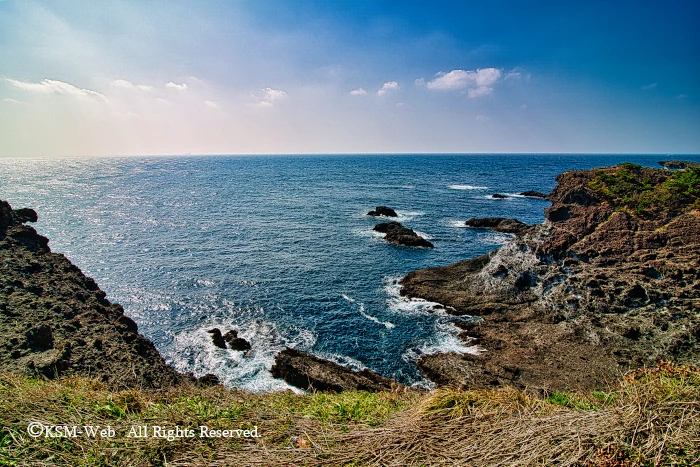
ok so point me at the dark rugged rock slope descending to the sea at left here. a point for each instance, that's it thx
(56, 321)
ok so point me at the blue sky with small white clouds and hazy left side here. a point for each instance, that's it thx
(110, 78)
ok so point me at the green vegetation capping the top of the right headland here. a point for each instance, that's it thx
(630, 186)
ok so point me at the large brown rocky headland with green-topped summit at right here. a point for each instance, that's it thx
(608, 282)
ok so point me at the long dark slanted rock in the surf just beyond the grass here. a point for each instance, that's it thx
(311, 373)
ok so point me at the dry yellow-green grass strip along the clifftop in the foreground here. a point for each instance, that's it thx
(651, 417)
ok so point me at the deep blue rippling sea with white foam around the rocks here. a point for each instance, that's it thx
(279, 247)
